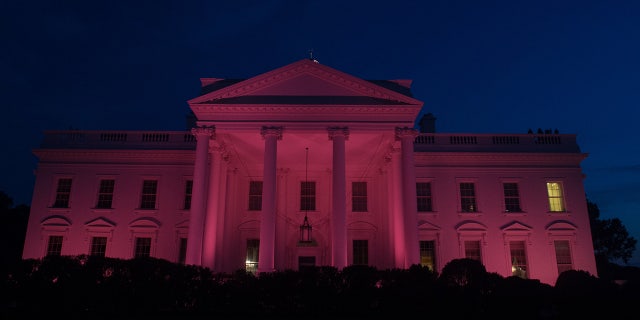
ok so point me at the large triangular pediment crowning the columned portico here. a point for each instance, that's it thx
(306, 78)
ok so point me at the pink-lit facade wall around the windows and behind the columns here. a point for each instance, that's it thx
(446, 225)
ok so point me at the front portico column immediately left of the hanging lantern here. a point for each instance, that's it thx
(266, 252)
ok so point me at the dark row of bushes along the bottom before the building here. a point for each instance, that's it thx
(105, 288)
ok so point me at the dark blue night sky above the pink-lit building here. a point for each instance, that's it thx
(479, 66)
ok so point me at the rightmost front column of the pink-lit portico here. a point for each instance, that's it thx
(409, 202)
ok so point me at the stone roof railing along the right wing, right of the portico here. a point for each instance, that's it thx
(461, 142)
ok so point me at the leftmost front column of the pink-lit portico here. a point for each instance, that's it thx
(198, 199)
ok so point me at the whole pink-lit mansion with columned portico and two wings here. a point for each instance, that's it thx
(308, 141)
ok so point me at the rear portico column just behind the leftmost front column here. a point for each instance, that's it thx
(214, 207)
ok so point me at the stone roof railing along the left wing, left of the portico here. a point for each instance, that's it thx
(72, 139)
